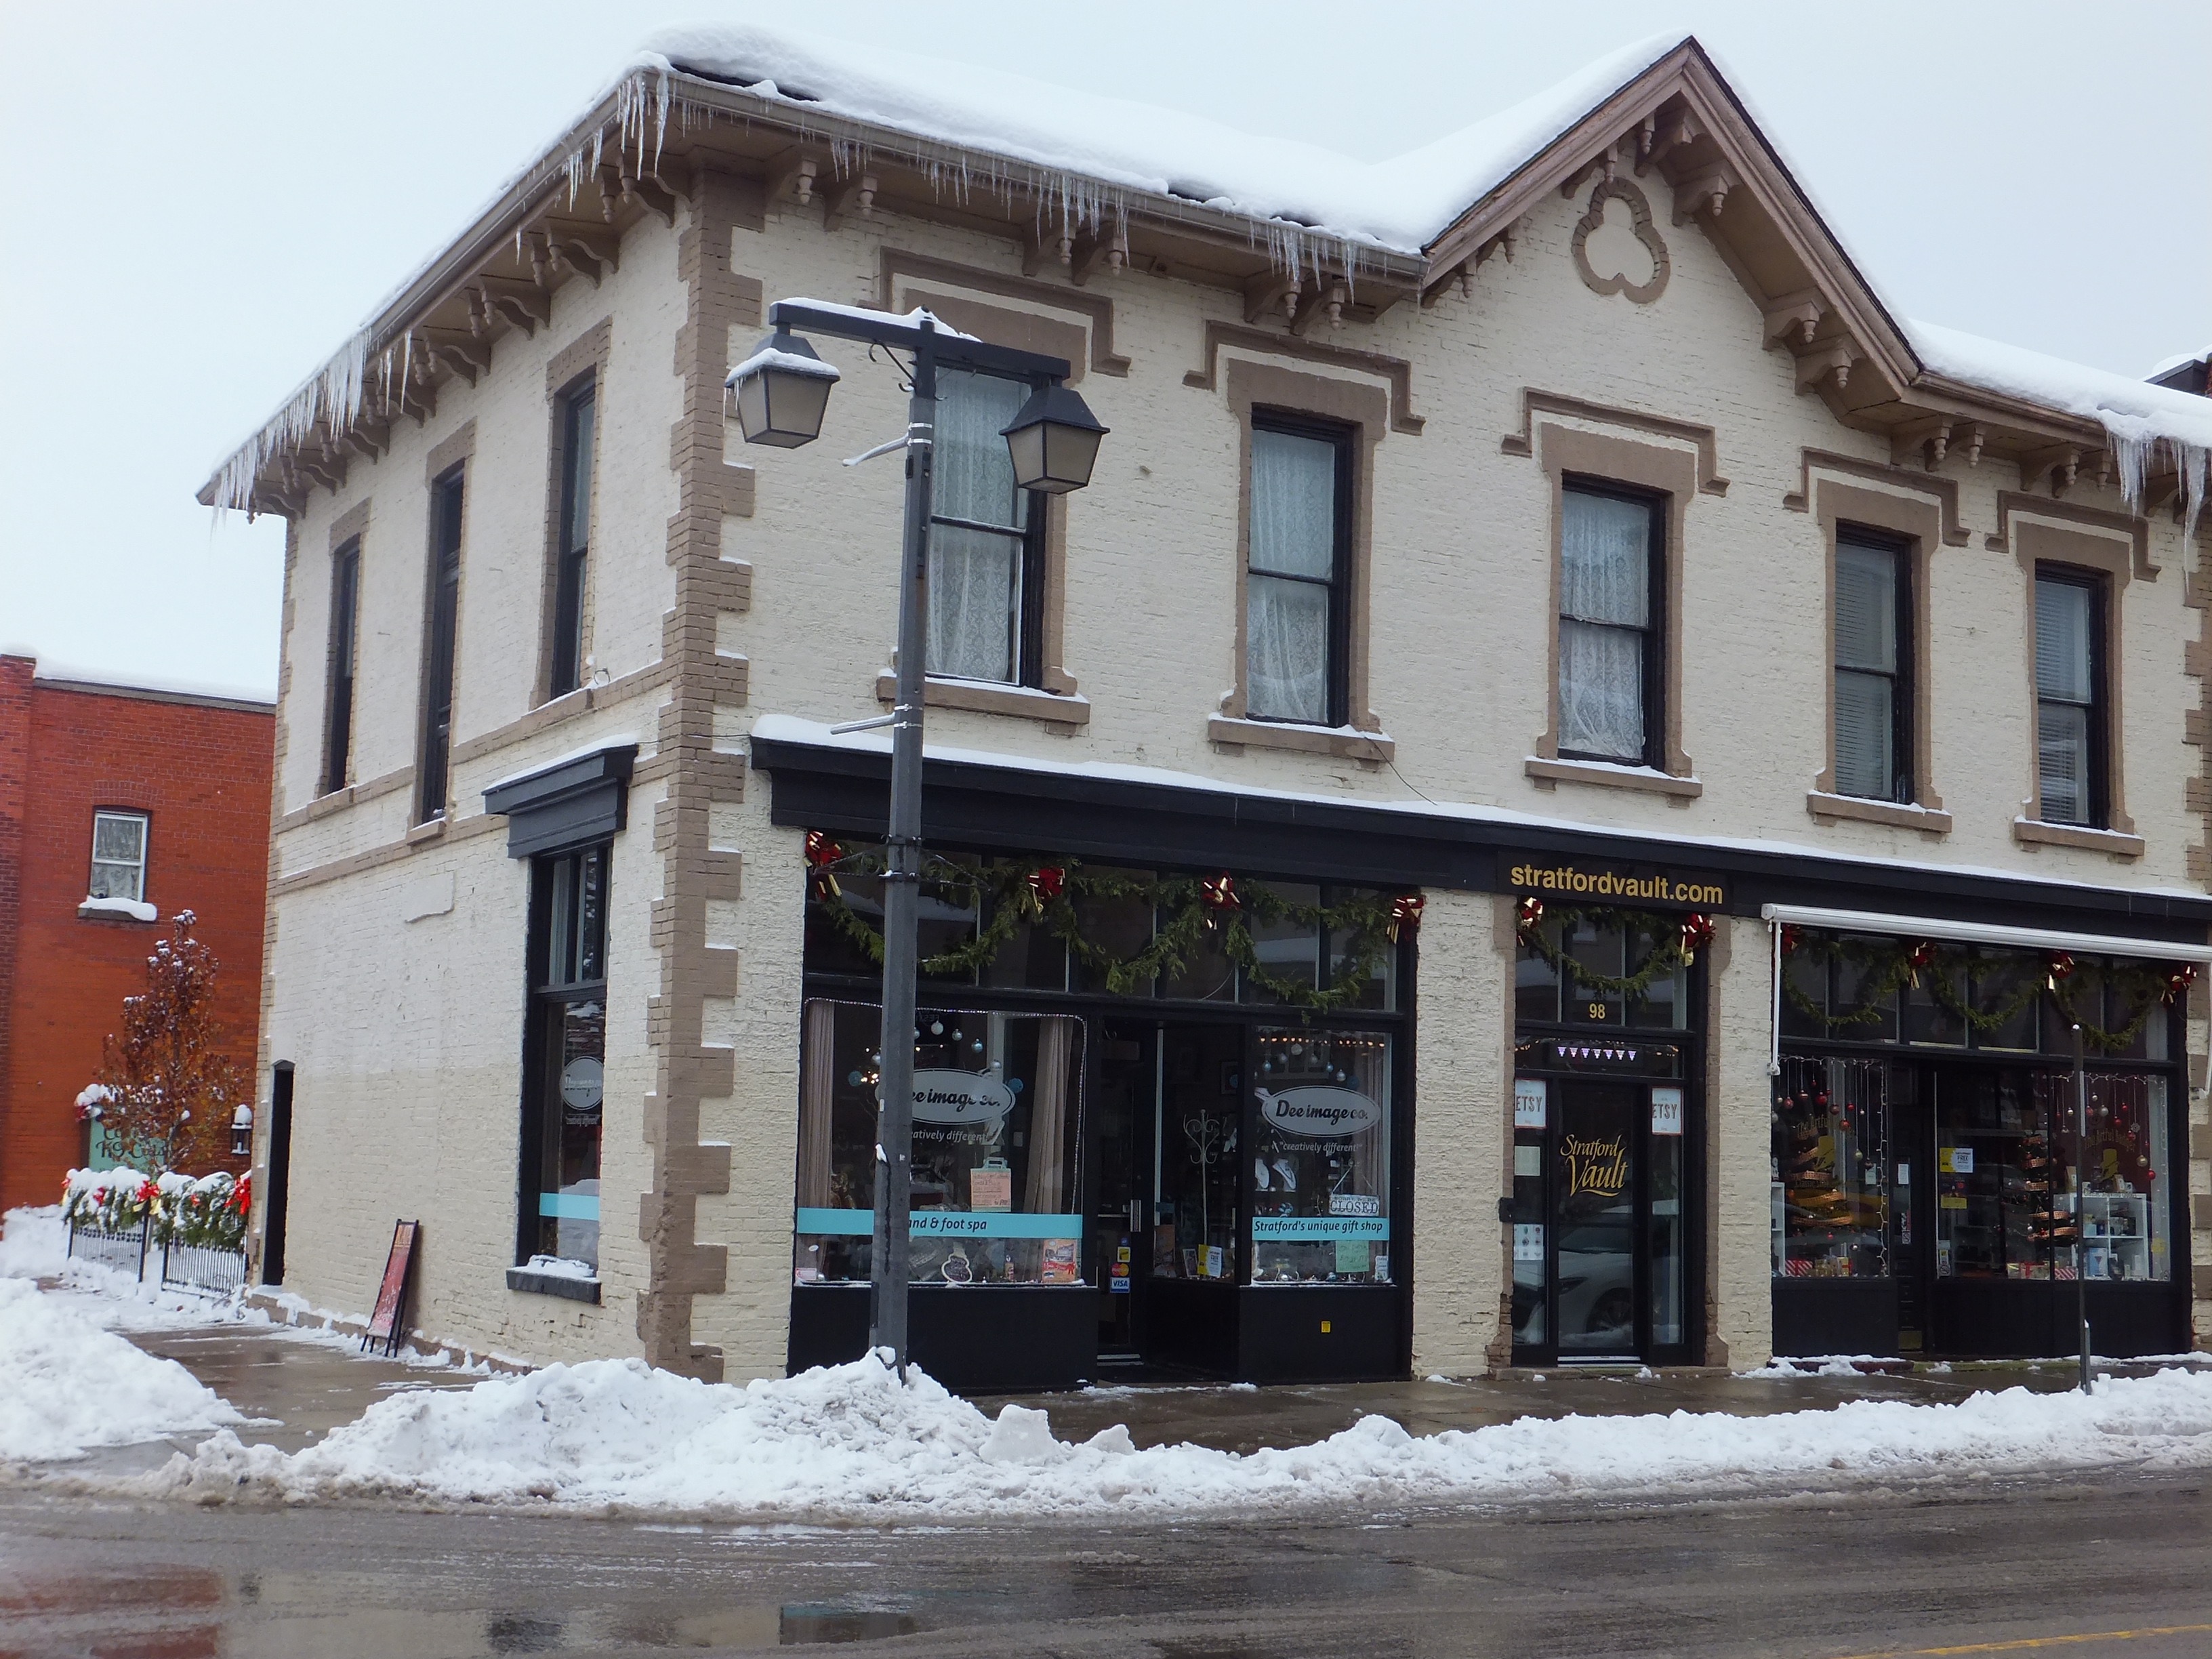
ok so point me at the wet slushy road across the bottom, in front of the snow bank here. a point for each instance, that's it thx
(2105, 1567)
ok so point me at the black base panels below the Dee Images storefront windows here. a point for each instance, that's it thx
(1010, 1339)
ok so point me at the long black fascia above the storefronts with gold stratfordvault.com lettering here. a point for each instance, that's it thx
(1008, 808)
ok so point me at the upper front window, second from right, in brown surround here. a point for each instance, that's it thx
(1875, 749)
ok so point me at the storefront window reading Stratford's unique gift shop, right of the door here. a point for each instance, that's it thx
(1322, 1158)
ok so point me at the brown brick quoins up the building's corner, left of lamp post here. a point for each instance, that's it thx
(687, 1070)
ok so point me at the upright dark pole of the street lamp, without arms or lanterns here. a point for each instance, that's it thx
(901, 886)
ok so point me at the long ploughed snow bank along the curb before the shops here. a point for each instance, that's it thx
(857, 1443)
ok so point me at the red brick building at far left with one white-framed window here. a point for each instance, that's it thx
(118, 808)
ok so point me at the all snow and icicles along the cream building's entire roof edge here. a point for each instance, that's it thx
(1092, 152)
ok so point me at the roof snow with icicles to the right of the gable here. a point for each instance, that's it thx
(2149, 424)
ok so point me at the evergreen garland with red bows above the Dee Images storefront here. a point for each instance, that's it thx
(1193, 915)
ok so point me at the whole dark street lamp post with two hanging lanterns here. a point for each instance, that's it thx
(780, 395)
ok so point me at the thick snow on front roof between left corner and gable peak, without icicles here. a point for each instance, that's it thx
(1399, 205)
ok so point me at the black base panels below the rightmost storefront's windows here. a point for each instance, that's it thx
(1979, 1319)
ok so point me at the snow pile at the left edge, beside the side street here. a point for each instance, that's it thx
(67, 1386)
